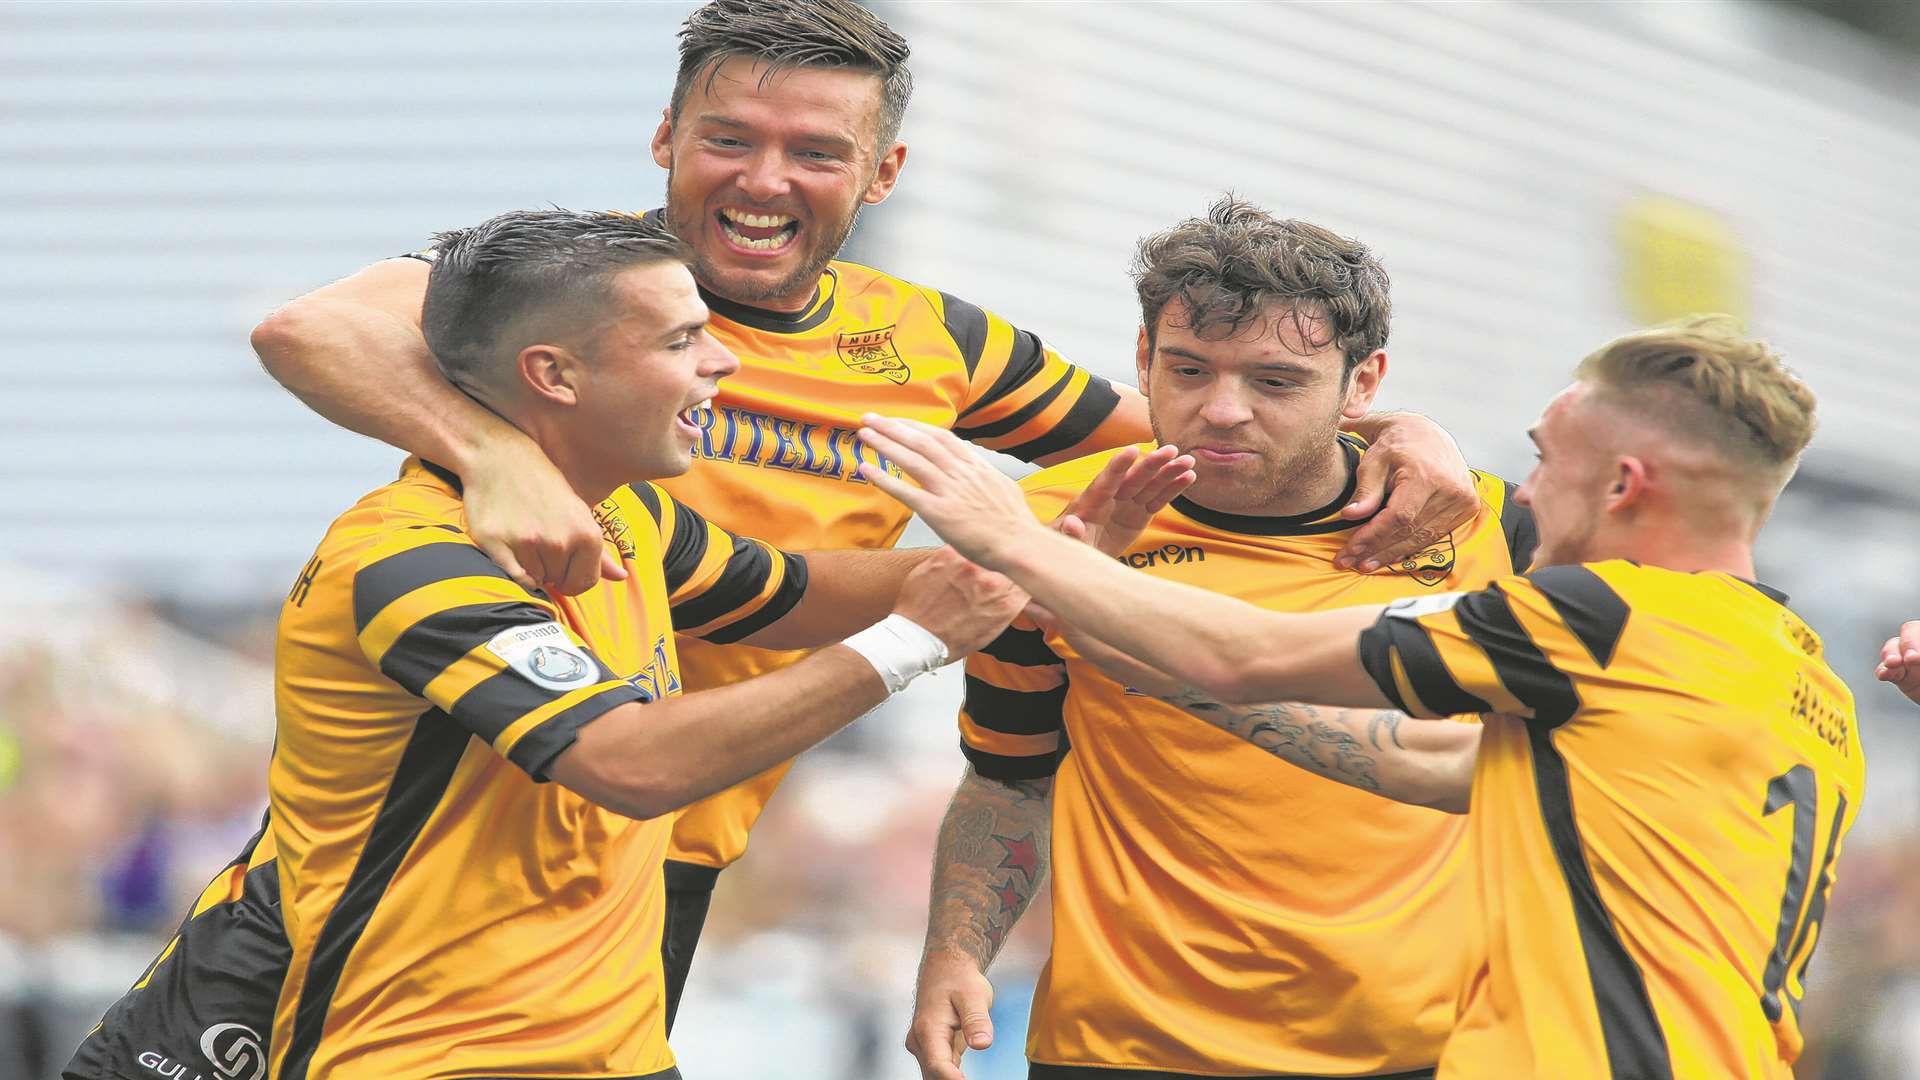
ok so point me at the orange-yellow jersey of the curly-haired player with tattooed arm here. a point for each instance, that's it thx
(1216, 912)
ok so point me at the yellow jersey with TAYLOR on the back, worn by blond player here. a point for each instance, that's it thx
(1668, 773)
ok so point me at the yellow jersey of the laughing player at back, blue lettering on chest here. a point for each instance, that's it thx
(780, 447)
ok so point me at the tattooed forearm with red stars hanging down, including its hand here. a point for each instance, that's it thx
(988, 866)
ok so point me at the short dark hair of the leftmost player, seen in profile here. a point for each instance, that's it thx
(510, 272)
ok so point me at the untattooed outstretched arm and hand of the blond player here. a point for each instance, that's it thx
(1228, 649)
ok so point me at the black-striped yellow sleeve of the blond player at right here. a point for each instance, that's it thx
(1524, 647)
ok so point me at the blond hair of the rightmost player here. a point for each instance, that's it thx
(1708, 380)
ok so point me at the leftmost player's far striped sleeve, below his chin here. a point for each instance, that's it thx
(721, 587)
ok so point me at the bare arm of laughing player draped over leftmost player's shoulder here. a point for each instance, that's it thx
(352, 353)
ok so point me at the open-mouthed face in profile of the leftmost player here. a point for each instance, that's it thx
(644, 372)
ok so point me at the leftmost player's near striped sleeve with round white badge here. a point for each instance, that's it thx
(448, 626)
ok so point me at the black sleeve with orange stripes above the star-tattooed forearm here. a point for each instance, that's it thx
(1013, 720)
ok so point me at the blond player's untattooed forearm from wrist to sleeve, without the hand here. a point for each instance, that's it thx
(1228, 649)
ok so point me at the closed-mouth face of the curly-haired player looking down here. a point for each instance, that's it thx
(1257, 406)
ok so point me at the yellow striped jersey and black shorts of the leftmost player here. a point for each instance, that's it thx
(444, 912)
